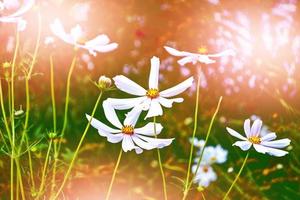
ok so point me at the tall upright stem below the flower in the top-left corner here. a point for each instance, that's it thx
(12, 114)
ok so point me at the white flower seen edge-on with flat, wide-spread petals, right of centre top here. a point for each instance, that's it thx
(196, 57)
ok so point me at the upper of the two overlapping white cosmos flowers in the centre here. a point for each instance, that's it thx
(151, 99)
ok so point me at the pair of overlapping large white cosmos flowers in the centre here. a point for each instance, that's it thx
(149, 100)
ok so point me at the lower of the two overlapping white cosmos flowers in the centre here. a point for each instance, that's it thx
(131, 137)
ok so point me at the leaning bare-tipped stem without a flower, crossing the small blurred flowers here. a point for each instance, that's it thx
(185, 193)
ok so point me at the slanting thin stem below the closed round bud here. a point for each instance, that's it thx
(78, 148)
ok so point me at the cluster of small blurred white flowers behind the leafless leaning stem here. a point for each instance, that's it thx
(205, 174)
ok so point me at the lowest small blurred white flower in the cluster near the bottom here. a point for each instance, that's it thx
(205, 175)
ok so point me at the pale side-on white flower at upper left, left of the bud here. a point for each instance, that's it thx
(101, 43)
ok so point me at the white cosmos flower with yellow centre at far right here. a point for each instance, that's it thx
(262, 144)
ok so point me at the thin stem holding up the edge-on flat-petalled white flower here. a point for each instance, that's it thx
(194, 133)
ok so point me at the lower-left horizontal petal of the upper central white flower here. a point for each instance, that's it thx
(124, 104)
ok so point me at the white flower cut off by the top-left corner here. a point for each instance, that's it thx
(16, 17)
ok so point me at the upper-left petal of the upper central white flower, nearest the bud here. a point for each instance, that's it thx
(126, 85)
